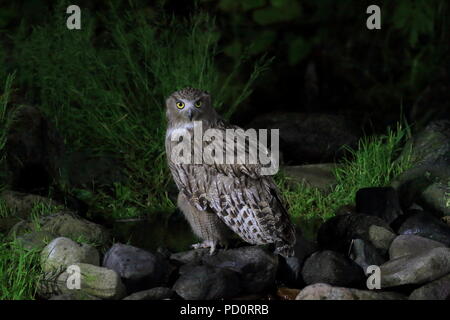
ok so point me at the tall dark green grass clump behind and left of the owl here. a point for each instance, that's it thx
(106, 93)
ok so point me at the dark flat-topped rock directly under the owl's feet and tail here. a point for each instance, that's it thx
(256, 267)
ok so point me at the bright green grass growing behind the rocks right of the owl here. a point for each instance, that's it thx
(372, 164)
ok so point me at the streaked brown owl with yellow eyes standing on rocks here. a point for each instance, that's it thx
(220, 199)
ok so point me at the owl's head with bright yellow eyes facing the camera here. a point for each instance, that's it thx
(189, 104)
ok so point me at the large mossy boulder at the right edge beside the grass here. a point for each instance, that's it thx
(429, 151)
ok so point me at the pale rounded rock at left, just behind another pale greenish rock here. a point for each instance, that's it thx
(63, 252)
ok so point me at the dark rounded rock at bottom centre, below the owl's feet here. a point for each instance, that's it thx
(206, 283)
